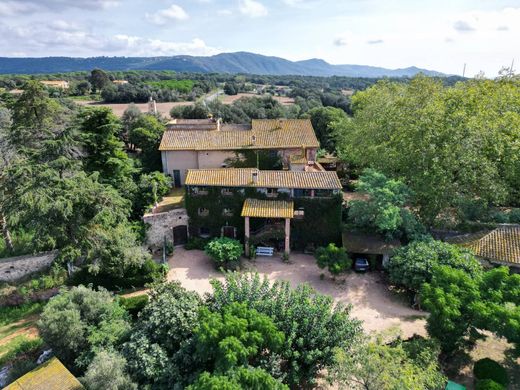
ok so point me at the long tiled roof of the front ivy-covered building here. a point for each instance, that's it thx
(243, 177)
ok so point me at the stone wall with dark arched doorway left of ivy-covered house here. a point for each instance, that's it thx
(161, 225)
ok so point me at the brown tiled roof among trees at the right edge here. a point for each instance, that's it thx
(500, 245)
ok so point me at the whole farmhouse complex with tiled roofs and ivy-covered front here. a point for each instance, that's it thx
(280, 208)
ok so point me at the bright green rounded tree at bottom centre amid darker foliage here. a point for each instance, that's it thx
(235, 336)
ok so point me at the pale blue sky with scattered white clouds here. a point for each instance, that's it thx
(434, 34)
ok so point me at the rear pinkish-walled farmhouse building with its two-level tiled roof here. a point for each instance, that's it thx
(200, 144)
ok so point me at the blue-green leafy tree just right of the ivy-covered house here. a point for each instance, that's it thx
(384, 211)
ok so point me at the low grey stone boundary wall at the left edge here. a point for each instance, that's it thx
(13, 269)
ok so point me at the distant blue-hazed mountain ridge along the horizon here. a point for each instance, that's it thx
(240, 62)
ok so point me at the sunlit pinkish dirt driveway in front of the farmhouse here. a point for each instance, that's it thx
(372, 302)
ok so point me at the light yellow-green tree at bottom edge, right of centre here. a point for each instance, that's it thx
(374, 365)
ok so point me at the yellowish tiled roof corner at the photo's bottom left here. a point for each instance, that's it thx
(51, 375)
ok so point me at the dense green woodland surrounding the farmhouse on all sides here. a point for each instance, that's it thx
(427, 154)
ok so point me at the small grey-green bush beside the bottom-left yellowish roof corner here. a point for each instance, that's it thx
(107, 372)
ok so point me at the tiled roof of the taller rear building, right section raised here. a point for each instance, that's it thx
(264, 134)
